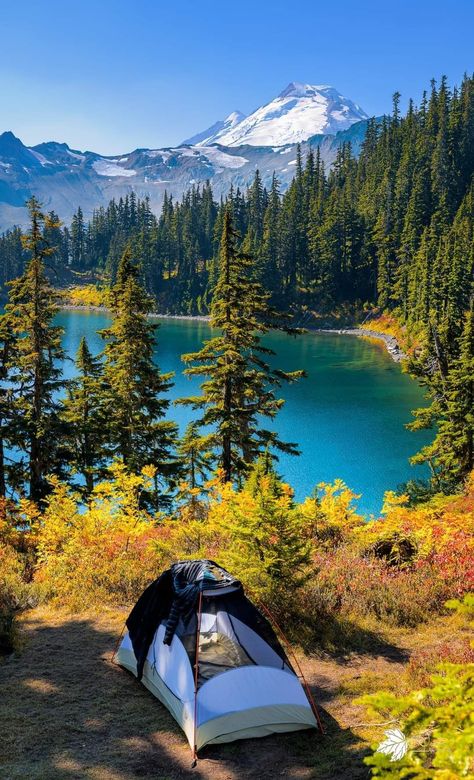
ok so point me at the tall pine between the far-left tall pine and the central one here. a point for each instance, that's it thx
(134, 400)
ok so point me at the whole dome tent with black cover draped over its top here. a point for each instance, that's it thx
(207, 653)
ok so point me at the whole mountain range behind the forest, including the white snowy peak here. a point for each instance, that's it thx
(228, 153)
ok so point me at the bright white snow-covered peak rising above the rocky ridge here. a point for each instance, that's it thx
(299, 112)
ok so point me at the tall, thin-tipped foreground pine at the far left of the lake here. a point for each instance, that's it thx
(34, 374)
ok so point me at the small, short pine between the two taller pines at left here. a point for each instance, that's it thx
(84, 415)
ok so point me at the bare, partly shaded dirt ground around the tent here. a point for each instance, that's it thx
(67, 712)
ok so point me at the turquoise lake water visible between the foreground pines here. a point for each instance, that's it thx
(347, 416)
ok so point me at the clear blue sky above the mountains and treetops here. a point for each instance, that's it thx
(111, 75)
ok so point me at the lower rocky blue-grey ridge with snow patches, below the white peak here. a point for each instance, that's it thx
(63, 178)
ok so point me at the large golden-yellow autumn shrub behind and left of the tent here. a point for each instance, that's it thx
(100, 553)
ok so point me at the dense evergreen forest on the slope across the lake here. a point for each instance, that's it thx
(391, 227)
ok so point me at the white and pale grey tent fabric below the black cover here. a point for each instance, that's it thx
(245, 689)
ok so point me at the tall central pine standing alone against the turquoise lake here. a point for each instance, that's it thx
(241, 385)
